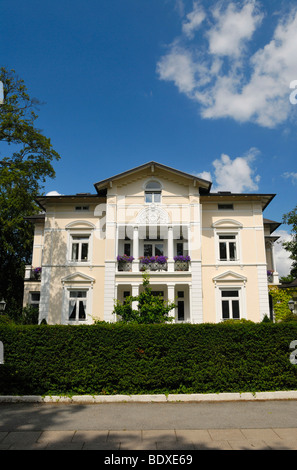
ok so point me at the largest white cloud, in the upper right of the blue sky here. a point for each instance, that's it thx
(222, 76)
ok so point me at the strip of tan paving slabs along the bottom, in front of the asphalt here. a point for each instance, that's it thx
(170, 440)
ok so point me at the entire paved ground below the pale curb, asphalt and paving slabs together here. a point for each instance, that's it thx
(176, 426)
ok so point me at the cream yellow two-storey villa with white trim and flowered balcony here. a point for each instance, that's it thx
(208, 252)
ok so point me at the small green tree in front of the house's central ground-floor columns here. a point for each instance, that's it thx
(150, 308)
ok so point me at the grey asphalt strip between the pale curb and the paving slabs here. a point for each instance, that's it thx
(144, 416)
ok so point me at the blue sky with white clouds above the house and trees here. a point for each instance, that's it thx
(202, 86)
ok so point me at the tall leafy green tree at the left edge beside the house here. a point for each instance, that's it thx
(24, 167)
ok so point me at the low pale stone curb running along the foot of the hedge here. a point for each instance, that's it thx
(171, 398)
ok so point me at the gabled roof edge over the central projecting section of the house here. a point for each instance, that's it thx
(203, 184)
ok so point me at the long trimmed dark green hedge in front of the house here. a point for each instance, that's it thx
(135, 359)
